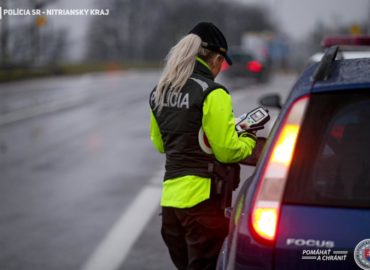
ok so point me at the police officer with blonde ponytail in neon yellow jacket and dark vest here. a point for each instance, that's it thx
(185, 100)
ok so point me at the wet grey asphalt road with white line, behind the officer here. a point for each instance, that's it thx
(79, 179)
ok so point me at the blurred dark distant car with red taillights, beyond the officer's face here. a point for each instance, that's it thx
(246, 65)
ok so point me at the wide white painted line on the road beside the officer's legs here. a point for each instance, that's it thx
(112, 251)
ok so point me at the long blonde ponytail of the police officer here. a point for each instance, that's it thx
(179, 65)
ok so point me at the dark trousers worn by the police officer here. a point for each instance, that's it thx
(194, 236)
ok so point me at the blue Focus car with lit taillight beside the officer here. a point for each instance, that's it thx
(307, 205)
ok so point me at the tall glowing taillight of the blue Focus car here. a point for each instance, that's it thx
(267, 202)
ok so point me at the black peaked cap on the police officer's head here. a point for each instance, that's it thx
(212, 38)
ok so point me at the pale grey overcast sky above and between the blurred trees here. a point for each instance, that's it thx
(296, 17)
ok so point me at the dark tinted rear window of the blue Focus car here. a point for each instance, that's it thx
(331, 163)
